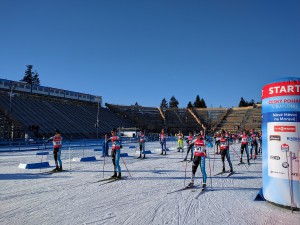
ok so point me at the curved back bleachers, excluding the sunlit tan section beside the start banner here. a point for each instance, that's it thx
(172, 119)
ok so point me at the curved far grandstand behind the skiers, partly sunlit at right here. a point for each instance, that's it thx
(153, 119)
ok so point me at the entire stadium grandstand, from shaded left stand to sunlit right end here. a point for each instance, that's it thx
(30, 111)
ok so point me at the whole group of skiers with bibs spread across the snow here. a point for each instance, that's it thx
(196, 144)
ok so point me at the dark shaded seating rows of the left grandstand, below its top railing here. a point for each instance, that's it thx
(75, 119)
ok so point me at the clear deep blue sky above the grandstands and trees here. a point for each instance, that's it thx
(143, 51)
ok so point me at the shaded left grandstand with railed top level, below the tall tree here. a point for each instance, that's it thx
(36, 111)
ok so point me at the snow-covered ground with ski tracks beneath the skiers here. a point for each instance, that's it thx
(73, 197)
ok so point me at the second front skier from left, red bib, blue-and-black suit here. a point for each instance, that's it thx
(115, 152)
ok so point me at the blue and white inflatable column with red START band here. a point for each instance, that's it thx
(281, 146)
